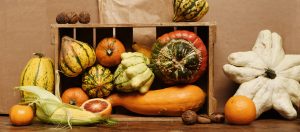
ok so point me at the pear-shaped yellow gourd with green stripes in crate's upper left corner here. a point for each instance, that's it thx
(75, 56)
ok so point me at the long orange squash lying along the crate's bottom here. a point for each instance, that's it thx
(171, 101)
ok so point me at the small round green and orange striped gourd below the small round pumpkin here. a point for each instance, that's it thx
(97, 82)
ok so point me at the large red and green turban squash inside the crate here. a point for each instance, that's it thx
(179, 57)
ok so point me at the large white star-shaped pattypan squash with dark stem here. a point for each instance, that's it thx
(267, 75)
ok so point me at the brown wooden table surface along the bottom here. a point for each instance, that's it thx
(264, 125)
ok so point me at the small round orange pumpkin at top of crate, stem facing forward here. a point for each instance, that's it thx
(108, 52)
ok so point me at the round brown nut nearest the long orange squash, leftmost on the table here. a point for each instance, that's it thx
(189, 117)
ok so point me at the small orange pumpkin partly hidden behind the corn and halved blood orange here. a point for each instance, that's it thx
(74, 96)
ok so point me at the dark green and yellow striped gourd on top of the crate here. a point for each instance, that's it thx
(189, 10)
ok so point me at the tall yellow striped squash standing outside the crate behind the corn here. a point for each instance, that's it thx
(39, 71)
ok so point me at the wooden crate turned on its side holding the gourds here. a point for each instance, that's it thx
(93, 33)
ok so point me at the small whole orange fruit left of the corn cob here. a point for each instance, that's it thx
(21, 115)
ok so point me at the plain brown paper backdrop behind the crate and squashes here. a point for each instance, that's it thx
(25, 28)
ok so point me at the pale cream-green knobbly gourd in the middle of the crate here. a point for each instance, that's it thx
(133, 74)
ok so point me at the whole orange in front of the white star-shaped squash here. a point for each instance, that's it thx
(240, 110)
